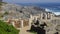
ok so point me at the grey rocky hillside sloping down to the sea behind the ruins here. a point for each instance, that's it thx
(18, 11)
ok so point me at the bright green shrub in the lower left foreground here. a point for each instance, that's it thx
(7, 29)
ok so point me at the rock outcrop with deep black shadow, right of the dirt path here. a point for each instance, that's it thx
(46, 28)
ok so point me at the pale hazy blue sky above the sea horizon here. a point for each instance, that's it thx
(31, 1)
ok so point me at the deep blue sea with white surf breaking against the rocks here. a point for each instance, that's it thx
(51, 7)
